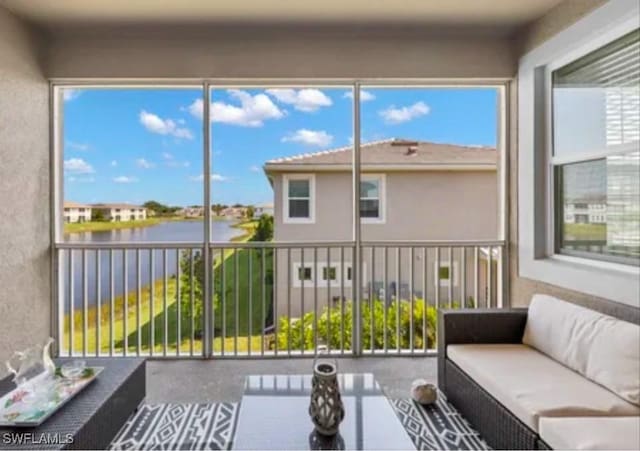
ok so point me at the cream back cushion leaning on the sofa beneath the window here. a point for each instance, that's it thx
(602, 348)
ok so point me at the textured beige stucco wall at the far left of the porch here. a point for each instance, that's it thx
(24, 190)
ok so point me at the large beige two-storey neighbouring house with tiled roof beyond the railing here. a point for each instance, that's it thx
(409, 191)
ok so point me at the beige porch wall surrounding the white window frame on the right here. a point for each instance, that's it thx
(522, 288)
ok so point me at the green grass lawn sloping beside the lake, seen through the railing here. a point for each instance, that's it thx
(249, 308)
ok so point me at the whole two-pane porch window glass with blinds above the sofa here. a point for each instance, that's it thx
(596, 156)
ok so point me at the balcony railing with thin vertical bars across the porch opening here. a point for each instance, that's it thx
(267, 299)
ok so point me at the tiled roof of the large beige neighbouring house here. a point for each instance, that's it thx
(394, 152)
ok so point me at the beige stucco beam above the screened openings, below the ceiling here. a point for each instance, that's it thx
(276, 52)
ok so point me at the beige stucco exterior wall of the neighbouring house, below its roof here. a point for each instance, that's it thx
(436, 205)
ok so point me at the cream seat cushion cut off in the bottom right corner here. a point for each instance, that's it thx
(591, 432)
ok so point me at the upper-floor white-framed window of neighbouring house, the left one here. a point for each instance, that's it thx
(299, 193)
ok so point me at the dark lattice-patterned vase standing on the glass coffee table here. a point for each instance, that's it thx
(326, 408)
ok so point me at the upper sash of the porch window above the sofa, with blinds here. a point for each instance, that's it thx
(596, 100)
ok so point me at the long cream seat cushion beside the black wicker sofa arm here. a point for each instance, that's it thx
(532, 385)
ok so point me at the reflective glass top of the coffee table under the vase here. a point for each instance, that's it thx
(274, 415)
